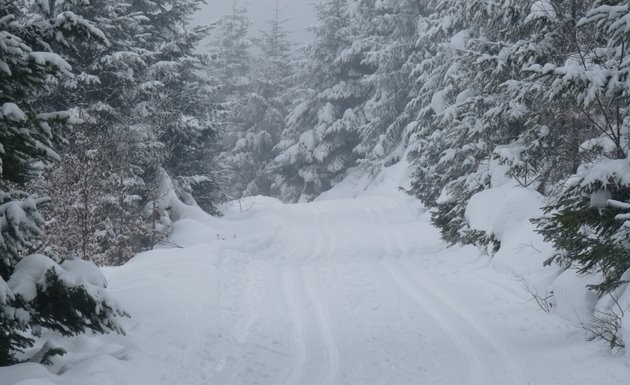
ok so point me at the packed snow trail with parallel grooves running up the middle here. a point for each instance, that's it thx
(339, 258)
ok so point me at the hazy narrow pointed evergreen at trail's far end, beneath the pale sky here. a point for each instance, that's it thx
(258, 125)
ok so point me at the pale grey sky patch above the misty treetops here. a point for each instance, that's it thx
(299, 13)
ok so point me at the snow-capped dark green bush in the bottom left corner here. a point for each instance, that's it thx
(36, 292)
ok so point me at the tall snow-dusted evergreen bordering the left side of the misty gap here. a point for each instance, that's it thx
(183, 111)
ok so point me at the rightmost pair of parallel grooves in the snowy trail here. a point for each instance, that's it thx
(466, 333)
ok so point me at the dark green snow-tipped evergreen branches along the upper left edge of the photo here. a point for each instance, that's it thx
(22, 79)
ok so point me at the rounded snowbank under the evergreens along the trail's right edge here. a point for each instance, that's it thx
(505, 210)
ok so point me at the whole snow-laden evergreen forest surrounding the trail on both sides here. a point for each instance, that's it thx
(112, 118)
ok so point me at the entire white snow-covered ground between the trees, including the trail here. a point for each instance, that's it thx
(355, 288)
